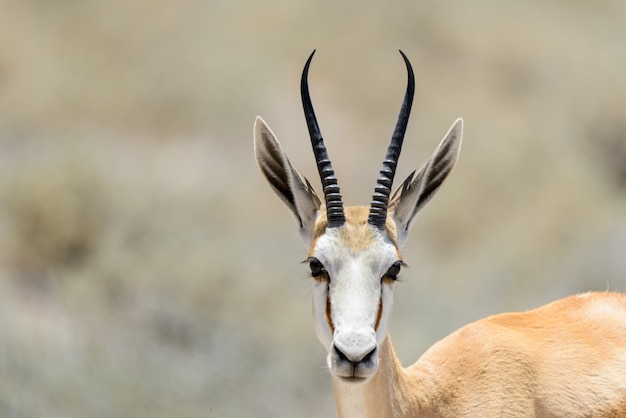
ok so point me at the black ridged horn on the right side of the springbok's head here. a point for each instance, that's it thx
(380, 199)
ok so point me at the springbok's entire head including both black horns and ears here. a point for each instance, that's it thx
(354, 252)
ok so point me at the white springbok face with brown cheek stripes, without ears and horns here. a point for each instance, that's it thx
(353, 268)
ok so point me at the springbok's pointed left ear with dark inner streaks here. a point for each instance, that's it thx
(289, 185)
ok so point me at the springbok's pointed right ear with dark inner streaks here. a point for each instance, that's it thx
(418, 189)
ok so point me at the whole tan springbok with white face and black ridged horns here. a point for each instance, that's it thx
(564, 359)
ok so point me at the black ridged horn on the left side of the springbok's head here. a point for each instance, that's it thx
(332, 195)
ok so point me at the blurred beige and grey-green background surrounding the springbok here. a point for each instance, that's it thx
(147, 270)
